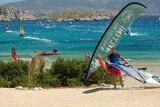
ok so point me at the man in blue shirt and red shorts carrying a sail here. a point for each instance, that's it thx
(115, 57)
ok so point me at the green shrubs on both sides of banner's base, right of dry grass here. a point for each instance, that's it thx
(73, 73)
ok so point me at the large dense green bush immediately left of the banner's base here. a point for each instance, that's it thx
(68, 69)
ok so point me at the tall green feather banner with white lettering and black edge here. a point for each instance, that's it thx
(114, 32)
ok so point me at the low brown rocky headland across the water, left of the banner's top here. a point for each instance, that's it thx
(68, 15)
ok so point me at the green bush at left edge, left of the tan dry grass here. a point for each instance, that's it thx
(13, 74)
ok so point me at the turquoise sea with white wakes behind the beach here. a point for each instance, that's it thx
(75, 38)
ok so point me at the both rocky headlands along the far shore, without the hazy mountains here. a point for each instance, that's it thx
(13, 13)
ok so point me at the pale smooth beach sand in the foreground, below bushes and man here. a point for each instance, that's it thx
(132, 95)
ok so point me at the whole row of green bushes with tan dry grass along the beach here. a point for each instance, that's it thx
(63, 73)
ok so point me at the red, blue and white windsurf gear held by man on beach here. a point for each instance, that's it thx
(140, 75)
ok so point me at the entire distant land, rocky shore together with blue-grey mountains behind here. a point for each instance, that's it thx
(64, 10)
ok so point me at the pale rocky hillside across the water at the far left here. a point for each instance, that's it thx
(12, 13)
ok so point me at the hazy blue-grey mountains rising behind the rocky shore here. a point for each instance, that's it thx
(57, 5)
